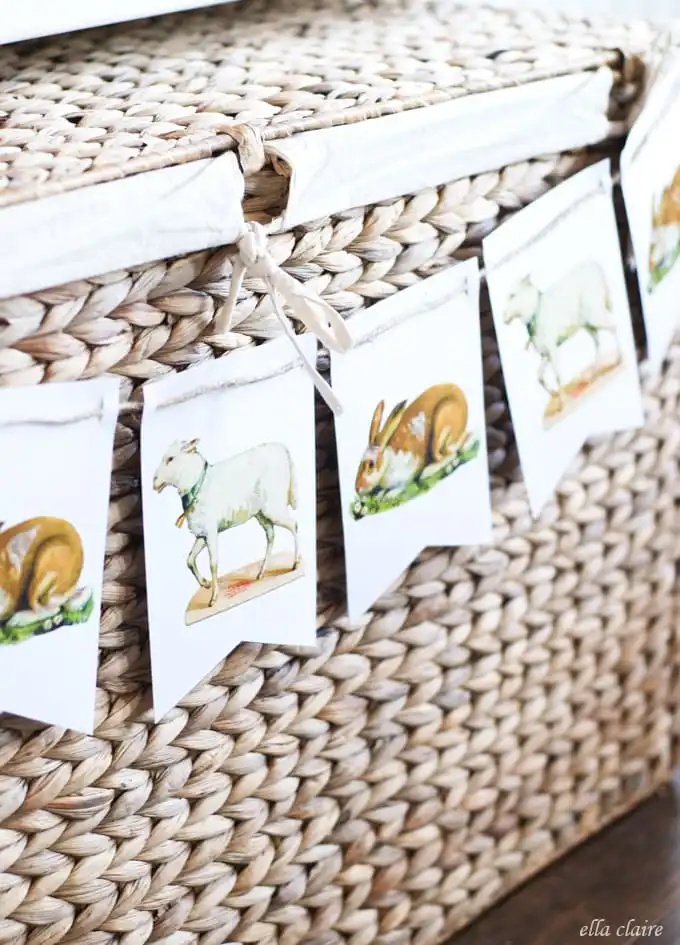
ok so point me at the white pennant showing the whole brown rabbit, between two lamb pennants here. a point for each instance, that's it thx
(411, 439)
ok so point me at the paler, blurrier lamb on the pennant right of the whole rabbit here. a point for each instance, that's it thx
(579, 301)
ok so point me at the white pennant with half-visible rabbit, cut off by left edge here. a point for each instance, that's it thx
(56, 442)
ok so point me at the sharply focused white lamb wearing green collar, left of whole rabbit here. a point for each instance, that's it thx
(258, 483)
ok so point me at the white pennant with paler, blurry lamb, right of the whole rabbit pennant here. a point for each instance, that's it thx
(562, 319)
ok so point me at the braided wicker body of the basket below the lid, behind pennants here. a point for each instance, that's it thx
(495, 708)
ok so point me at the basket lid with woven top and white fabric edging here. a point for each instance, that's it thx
(159, 114)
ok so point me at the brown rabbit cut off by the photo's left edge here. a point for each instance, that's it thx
(40, 564)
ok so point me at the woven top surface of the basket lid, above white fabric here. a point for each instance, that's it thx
(102, 104)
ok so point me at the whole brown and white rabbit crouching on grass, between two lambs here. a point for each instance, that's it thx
(426, 432)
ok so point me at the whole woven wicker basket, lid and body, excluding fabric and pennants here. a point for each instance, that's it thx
(498, 705)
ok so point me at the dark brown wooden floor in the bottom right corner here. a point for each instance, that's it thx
(628, 876)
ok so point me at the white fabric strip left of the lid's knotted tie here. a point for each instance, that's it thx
(120, 224)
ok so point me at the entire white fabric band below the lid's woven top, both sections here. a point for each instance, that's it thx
(185, 208)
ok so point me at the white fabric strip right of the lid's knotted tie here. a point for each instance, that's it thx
(335, 169)
